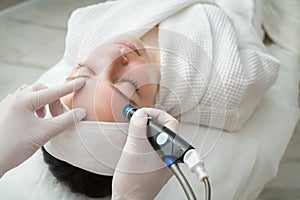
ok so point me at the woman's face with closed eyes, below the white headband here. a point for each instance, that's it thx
(116, 74)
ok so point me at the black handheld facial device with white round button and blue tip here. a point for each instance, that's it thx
(169, 146)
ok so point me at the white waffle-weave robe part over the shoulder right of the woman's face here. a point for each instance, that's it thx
(205, 78)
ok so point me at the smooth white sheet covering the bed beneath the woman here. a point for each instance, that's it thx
(239, 165)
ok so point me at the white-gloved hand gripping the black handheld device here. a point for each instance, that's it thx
(140, 173)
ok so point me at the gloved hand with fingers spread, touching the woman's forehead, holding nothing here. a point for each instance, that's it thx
(22, 131)
